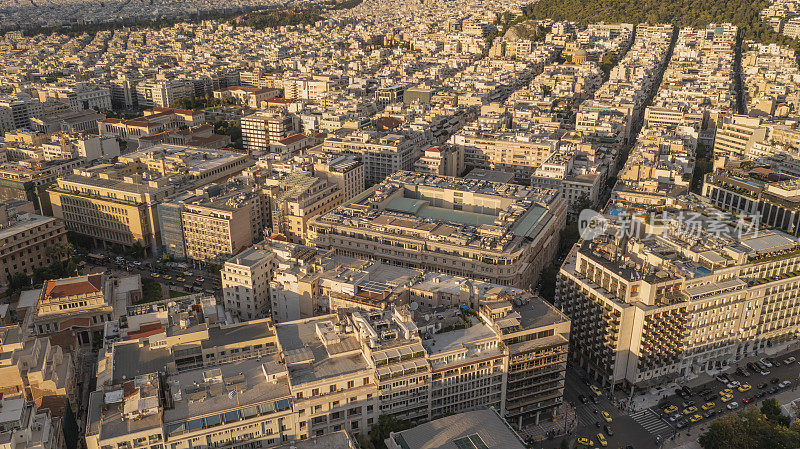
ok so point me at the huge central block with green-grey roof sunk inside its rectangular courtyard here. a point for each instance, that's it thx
(501, 233)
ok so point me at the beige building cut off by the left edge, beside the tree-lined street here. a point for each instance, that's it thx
(26, 242)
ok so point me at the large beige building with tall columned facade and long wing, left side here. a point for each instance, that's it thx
(117, 205)
